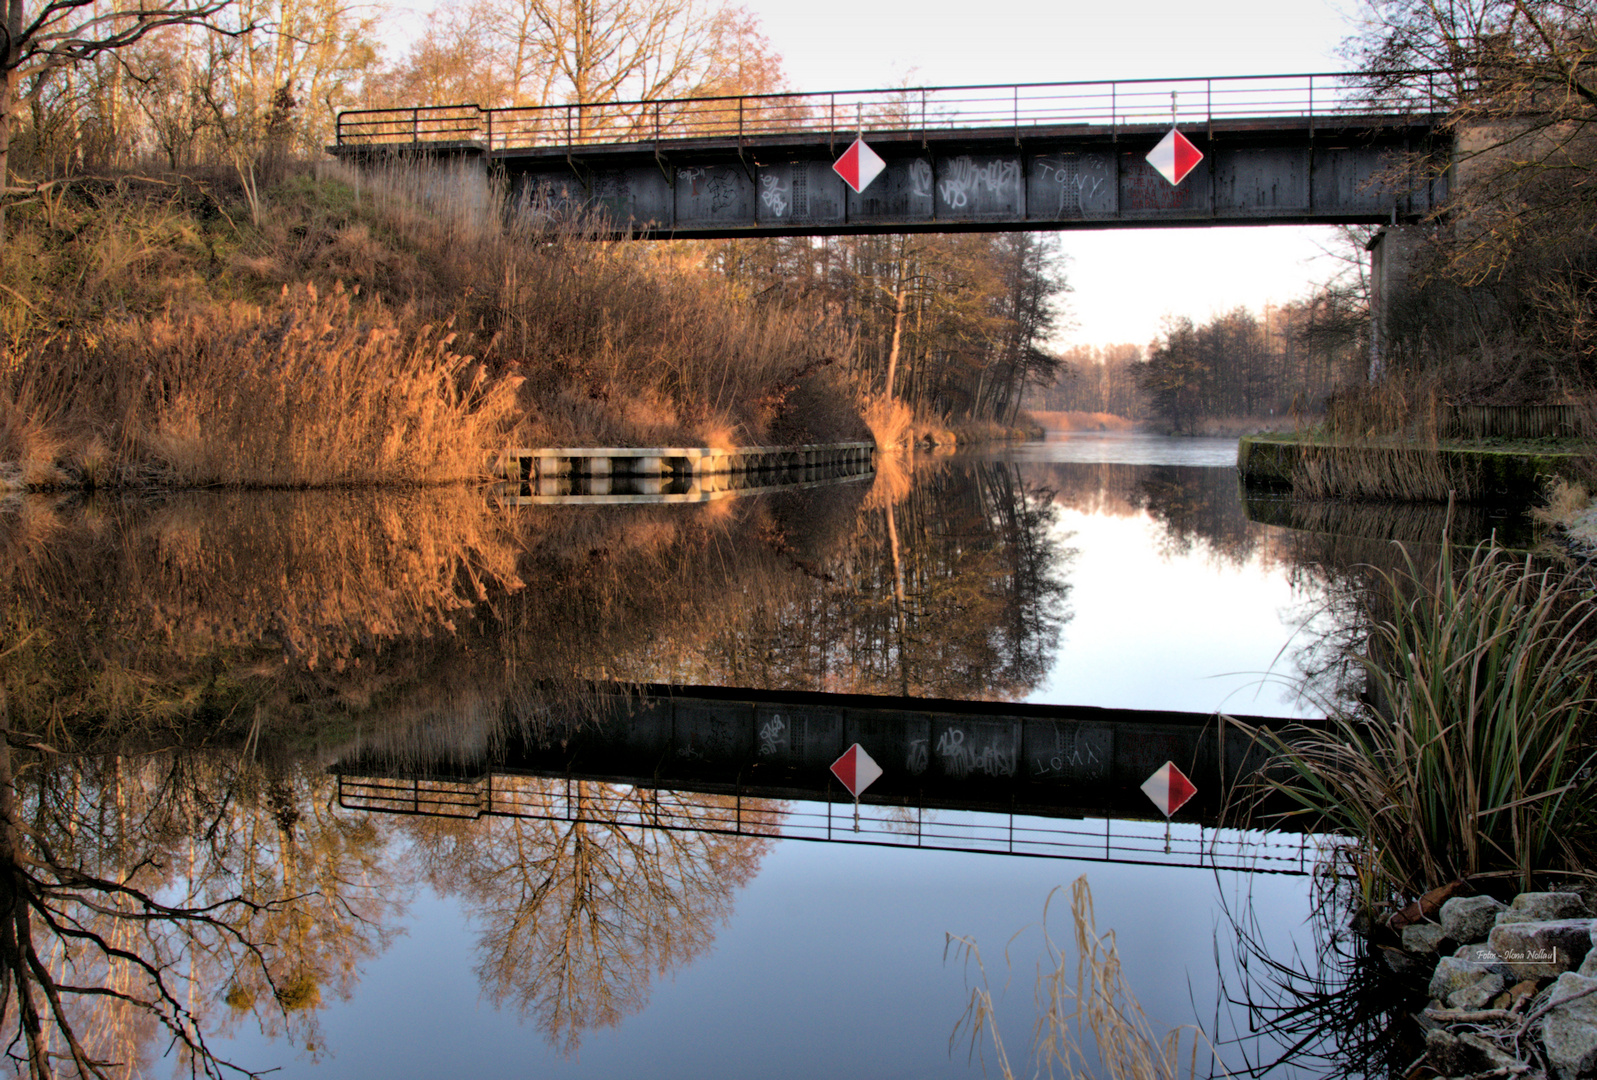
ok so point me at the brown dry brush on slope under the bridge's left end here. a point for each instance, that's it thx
(622, 343)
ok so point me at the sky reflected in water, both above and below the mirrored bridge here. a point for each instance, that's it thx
(833, 961)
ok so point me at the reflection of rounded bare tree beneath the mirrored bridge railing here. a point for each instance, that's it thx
(576, 919)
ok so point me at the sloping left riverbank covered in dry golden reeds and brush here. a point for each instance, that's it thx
(347, 330)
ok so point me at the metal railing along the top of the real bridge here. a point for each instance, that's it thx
(1023, 108)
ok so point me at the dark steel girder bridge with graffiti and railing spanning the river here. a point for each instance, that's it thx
(1278, 149)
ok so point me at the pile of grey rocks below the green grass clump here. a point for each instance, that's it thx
(1515, 991)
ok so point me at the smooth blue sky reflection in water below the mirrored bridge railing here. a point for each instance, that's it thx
(833, 964)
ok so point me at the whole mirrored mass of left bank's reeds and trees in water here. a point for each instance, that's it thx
(159, 897)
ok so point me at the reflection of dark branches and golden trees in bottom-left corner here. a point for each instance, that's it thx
(154, 900)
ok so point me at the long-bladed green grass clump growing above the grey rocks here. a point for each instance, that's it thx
(1470, 752)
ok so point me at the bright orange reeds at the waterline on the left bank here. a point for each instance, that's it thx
(306, 391)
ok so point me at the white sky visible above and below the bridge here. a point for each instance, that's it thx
(1125, 280)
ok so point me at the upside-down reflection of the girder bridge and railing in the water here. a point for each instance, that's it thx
(1058, 782)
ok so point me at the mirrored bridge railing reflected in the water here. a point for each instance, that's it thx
(742, 812)
